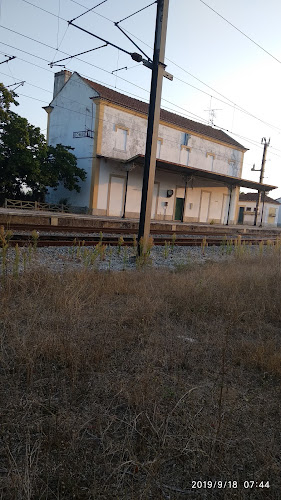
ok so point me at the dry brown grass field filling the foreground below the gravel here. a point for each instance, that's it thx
(131, 385)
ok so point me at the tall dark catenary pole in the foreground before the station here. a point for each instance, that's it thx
(158, 71)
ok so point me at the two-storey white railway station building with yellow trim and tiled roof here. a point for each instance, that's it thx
(198, 168)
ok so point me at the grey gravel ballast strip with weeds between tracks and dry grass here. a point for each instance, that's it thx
(60, 259)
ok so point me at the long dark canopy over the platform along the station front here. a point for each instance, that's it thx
(196, 172)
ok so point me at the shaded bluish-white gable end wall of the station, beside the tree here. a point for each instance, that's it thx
(73, 111)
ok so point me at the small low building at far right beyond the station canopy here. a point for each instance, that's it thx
(247, 210)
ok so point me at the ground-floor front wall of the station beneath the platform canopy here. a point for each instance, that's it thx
(164, 207)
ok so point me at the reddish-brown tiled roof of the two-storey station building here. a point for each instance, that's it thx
(166, 116)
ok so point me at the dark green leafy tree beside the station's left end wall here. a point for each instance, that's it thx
(28, 166)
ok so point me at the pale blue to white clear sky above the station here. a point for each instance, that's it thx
(219, 65)
